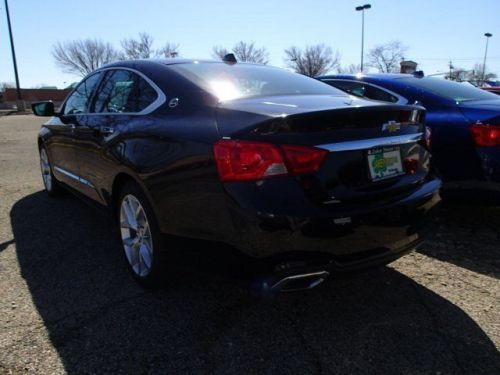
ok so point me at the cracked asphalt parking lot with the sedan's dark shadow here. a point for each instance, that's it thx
(68, 305)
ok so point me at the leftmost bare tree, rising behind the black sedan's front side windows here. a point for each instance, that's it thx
(83, 56)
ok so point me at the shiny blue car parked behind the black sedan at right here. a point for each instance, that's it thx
(464, 120)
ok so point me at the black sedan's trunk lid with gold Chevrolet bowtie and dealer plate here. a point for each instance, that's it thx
(374, 150)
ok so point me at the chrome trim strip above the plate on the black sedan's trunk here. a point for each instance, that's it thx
(363, 144)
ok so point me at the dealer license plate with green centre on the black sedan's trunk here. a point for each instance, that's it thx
(384, 163)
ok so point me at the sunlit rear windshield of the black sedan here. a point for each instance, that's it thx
(235, 81)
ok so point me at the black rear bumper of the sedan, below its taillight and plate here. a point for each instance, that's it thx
(345, 240)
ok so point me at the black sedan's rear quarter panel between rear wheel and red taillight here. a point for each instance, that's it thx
(172, 157)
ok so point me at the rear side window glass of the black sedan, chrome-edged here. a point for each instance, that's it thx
(123, 91)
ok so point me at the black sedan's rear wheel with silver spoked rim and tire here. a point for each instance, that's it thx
(157, 271)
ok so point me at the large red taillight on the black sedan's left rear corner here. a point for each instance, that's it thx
(248, 160)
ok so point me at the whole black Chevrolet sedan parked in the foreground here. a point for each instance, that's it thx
(286, 168)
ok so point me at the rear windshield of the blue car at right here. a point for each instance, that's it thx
(458, 92)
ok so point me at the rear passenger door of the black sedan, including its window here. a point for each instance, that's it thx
(123, 99)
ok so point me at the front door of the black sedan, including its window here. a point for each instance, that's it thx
(61, 146)
